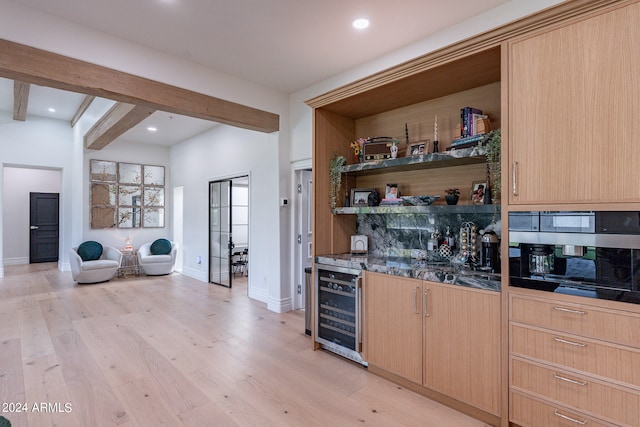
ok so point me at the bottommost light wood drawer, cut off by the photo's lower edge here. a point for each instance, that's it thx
(527, 411)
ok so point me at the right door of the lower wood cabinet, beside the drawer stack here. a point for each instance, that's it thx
(462, 344)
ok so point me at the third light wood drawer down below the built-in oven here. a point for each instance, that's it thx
(606, 400)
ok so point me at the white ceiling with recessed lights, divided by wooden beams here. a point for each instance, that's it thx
(283, 44)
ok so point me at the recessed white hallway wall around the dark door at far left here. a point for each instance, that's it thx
(18, 183)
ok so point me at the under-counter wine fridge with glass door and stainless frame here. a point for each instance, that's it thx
(338, 317)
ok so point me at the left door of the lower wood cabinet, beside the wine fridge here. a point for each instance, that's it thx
(394, 324)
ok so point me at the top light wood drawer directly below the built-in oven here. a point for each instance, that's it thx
(619, 327)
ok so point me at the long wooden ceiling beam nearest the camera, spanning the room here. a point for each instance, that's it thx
(24, 63)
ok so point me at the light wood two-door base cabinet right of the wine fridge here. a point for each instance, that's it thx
(445, 337)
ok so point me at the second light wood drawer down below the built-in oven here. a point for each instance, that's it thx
(590, 356)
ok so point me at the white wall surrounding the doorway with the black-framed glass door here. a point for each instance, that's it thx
(227, 152)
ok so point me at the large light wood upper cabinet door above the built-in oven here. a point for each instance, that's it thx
(573, 112)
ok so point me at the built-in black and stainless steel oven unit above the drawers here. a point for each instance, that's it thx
(590, 254)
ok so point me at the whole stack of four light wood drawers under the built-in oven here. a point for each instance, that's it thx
(572, 359)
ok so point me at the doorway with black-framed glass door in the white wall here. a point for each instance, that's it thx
(229, 231)
